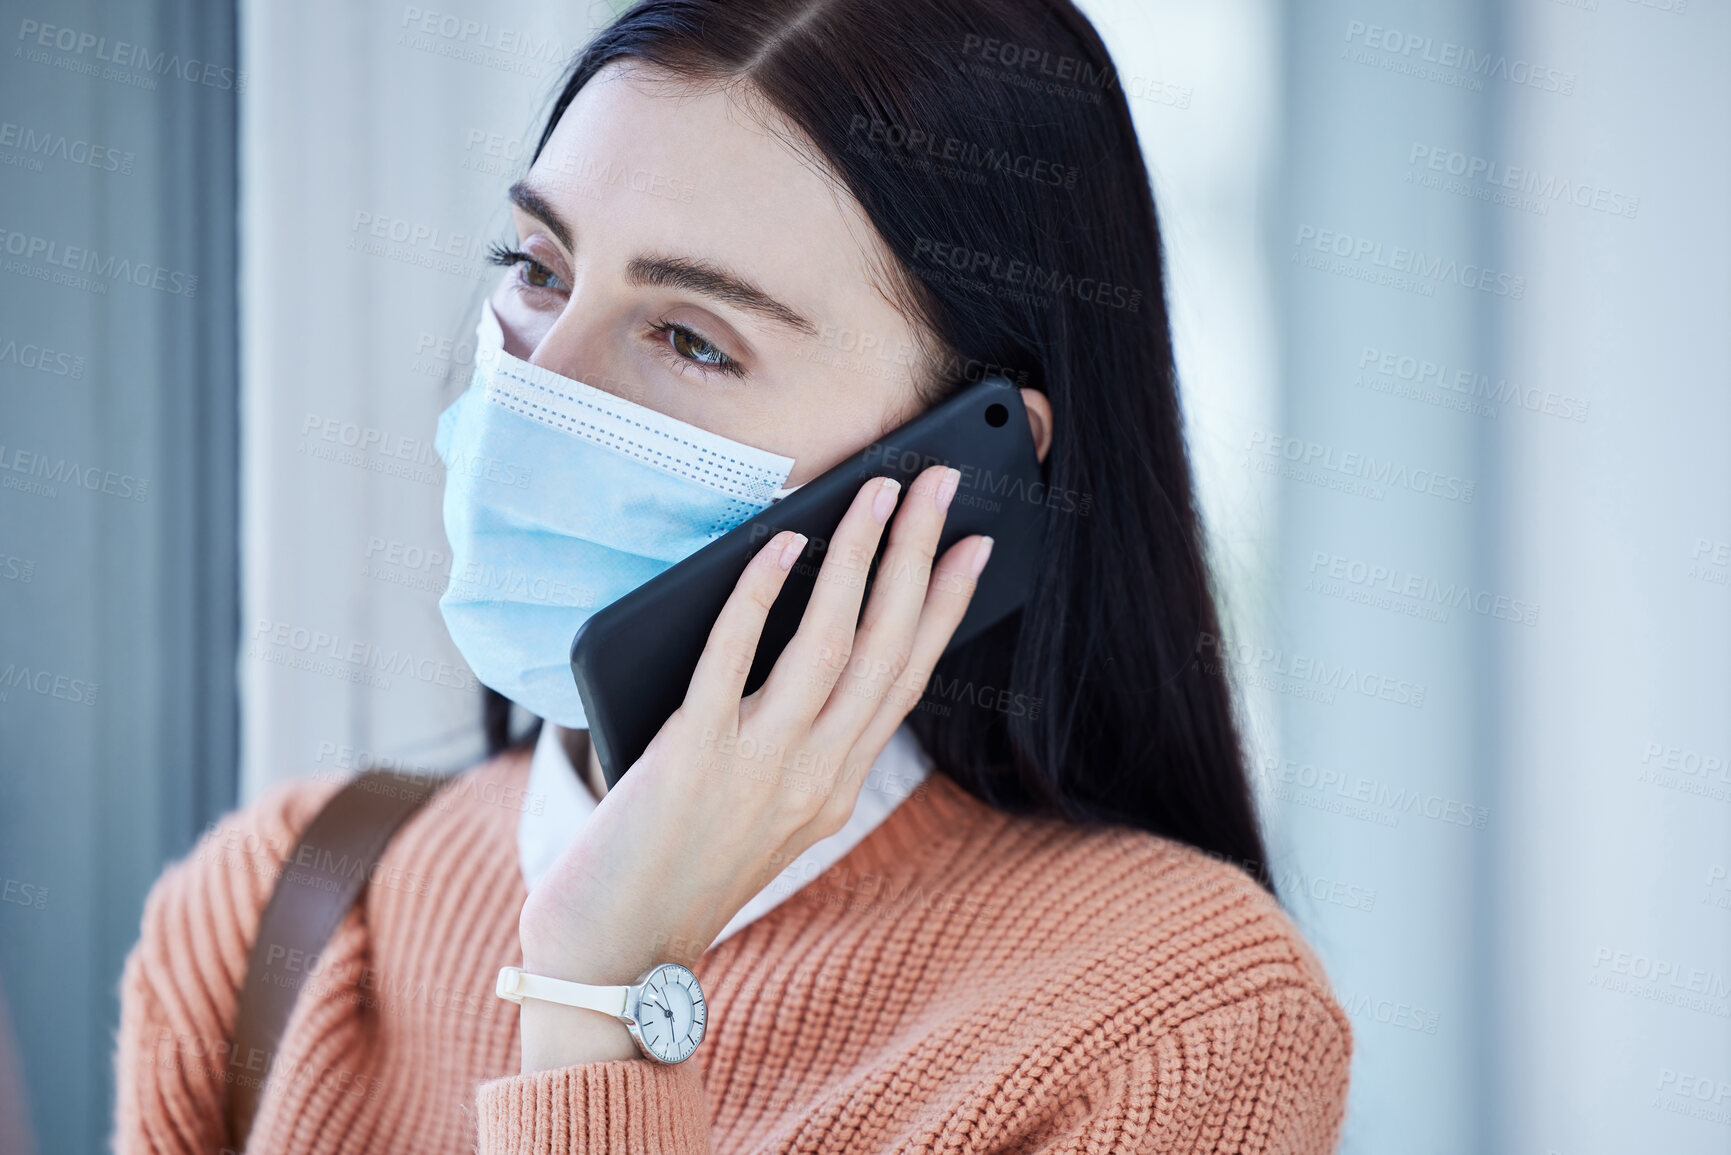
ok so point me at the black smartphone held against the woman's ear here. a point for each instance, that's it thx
(634, 659)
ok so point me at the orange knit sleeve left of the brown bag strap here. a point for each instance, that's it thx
(183, 979)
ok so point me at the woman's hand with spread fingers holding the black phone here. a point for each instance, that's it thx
(737, 784)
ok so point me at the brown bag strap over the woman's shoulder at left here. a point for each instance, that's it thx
(319, 884)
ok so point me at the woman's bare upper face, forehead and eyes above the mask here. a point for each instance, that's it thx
(676, 254)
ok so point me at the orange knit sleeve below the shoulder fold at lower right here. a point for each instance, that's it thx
(1266, 1076)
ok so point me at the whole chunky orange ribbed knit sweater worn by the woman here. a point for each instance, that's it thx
(962, 981)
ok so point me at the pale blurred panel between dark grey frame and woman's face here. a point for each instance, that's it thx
(376, 150)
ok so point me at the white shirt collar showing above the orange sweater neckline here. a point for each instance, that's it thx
(544, 832)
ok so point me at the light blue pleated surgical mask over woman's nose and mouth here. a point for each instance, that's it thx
(560, 500)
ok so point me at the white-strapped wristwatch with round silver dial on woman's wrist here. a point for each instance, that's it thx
(664, 1010)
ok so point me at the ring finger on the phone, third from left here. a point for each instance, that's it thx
(885, 636)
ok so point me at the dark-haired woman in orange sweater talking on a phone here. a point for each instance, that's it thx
(1064, 938)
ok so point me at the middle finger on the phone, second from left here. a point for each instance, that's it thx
(809, 666)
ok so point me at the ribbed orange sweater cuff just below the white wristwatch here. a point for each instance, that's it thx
(624, 1106)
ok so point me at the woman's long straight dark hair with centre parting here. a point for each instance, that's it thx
(991, 145)
